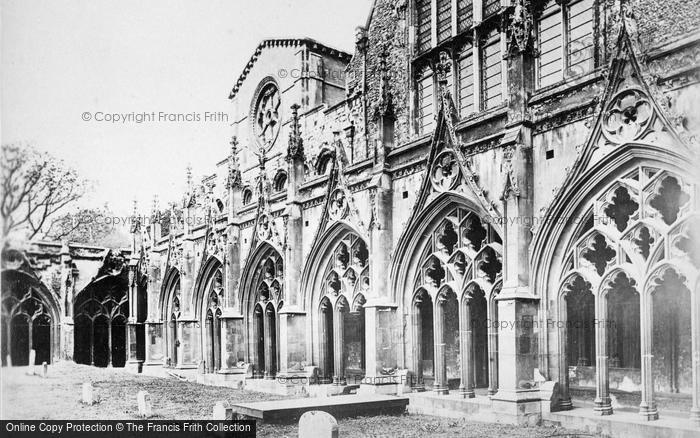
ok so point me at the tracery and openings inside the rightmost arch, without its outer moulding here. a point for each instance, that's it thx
(631, 261)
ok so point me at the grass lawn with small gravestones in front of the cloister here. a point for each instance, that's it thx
(58, 398)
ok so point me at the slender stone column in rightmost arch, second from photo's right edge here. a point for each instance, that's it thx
(647, 407)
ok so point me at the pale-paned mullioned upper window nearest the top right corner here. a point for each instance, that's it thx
(565, 40)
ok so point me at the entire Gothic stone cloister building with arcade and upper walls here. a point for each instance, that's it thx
(490, 198)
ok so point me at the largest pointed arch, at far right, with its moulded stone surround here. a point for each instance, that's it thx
(643, 204)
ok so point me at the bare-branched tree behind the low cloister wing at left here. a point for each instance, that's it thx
(35, 188)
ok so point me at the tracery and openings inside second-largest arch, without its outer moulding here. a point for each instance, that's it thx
(455, 284)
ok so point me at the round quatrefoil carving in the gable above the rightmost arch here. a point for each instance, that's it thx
(627, 116)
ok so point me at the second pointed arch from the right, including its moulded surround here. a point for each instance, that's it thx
(449, 247)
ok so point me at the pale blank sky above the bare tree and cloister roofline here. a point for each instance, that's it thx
(63, 61)
